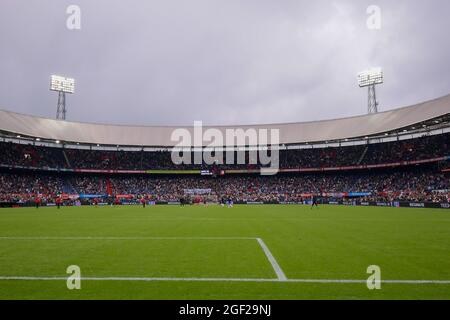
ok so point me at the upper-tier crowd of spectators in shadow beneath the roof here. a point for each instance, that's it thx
(428, 147)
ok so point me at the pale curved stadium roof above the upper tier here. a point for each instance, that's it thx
(160, 136)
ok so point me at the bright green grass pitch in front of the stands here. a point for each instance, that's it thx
(329, 243)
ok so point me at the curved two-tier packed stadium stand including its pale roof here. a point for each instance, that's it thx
(399, 156)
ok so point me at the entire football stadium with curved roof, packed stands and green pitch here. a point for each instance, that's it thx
(140, 226)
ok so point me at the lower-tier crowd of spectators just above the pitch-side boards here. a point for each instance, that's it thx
(412, 185)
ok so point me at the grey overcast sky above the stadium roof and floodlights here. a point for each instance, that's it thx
(222, 62)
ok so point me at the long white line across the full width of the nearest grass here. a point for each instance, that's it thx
(336, 281)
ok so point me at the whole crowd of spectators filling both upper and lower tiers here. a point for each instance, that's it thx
(420, 184)
